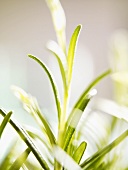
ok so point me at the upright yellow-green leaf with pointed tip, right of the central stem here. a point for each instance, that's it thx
(71, 51)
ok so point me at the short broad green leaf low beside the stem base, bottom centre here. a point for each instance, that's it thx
(77, 156)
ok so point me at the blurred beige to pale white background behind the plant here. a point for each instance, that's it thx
(25, 28)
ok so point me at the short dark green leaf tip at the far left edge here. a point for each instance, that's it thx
(4, 123)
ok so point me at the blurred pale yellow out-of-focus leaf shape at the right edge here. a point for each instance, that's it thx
(118, 58)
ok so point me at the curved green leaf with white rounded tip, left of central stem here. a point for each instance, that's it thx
(61, 58)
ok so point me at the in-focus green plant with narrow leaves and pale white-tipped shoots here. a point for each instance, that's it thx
(66, 149)
